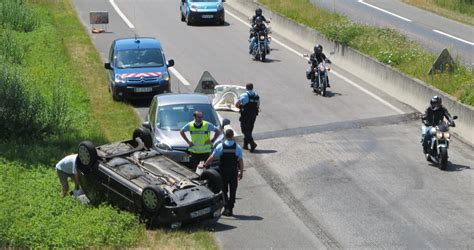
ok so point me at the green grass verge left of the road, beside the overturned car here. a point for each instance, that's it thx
(54, 48)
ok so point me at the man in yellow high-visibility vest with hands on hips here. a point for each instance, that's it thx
(200, 145)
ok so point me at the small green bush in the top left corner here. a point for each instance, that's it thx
(17, 15)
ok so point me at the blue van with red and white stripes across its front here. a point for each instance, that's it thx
(137, 68)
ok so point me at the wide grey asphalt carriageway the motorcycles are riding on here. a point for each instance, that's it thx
(343, 171)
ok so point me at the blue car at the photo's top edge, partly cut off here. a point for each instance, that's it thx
(193, 11)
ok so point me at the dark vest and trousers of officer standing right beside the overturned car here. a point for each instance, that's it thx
(229, 172)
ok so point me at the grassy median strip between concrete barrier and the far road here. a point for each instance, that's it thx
(386, 45)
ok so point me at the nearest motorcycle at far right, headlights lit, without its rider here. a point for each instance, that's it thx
(439, 144)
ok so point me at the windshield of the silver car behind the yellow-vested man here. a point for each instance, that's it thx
(174, 117)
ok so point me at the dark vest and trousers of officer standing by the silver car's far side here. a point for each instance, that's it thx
(247, 118)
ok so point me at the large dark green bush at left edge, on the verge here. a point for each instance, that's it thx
(25, 113)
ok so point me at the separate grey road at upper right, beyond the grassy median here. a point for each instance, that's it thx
(432, 31)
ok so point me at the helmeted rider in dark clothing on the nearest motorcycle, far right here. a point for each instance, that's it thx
(433, 116)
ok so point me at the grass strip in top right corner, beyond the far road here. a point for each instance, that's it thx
(459, 10)
